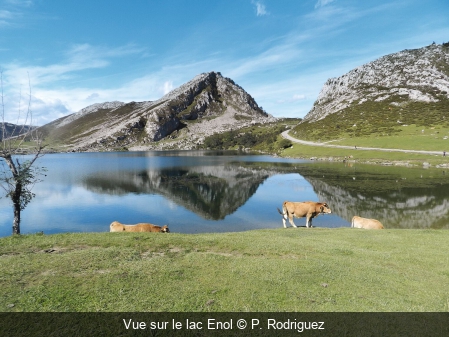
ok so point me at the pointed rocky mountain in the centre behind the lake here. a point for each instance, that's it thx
(207, 104)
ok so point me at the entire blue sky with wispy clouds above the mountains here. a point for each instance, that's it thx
(76, 53)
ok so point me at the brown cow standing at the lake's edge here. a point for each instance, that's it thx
(308, 209)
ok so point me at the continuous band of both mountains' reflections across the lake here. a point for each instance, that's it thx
(398, 197)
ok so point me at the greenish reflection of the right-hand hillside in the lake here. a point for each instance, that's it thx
(397, 197)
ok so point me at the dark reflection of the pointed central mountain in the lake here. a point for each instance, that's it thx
(211, 192)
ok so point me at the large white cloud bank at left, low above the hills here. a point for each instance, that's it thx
(49, 104)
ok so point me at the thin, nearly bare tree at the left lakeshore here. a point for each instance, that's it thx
(20, 173)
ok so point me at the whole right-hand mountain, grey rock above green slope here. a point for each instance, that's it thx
(408, 87)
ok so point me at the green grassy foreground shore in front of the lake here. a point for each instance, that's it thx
(263, 270)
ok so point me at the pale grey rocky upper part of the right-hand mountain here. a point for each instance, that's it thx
(419, 75)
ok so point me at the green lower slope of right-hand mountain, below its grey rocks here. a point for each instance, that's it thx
(377, 120)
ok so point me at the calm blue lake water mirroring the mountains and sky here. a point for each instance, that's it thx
(204, 191)
